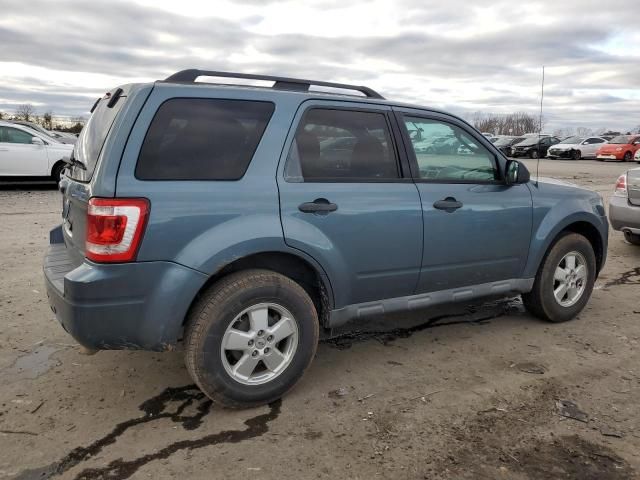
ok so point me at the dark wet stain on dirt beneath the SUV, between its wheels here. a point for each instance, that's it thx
(474, 315)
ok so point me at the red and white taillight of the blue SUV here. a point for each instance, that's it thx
(114, 228)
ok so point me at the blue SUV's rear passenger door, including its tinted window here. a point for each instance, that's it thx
(344, 201)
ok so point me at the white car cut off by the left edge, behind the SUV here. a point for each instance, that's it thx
(27, 153)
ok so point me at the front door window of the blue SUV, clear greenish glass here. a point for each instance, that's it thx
(445, 152)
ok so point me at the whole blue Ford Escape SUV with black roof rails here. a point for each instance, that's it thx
(241, 220)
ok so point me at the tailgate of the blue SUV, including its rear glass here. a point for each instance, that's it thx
(76, 187)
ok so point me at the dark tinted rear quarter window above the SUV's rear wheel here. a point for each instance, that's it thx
(202, 139)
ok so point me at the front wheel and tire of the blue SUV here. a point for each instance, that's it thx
(564, 281)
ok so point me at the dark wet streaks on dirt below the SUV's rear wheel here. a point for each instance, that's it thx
(154, 409)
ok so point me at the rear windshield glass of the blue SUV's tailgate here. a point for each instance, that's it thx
(91, 139)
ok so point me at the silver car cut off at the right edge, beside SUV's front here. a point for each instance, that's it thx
(624, 206)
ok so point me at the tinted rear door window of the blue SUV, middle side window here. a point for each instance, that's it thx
(342, 145)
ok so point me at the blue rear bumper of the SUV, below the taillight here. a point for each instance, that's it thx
(120, 306)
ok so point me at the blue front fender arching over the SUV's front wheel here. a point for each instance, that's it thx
(555, 215)
